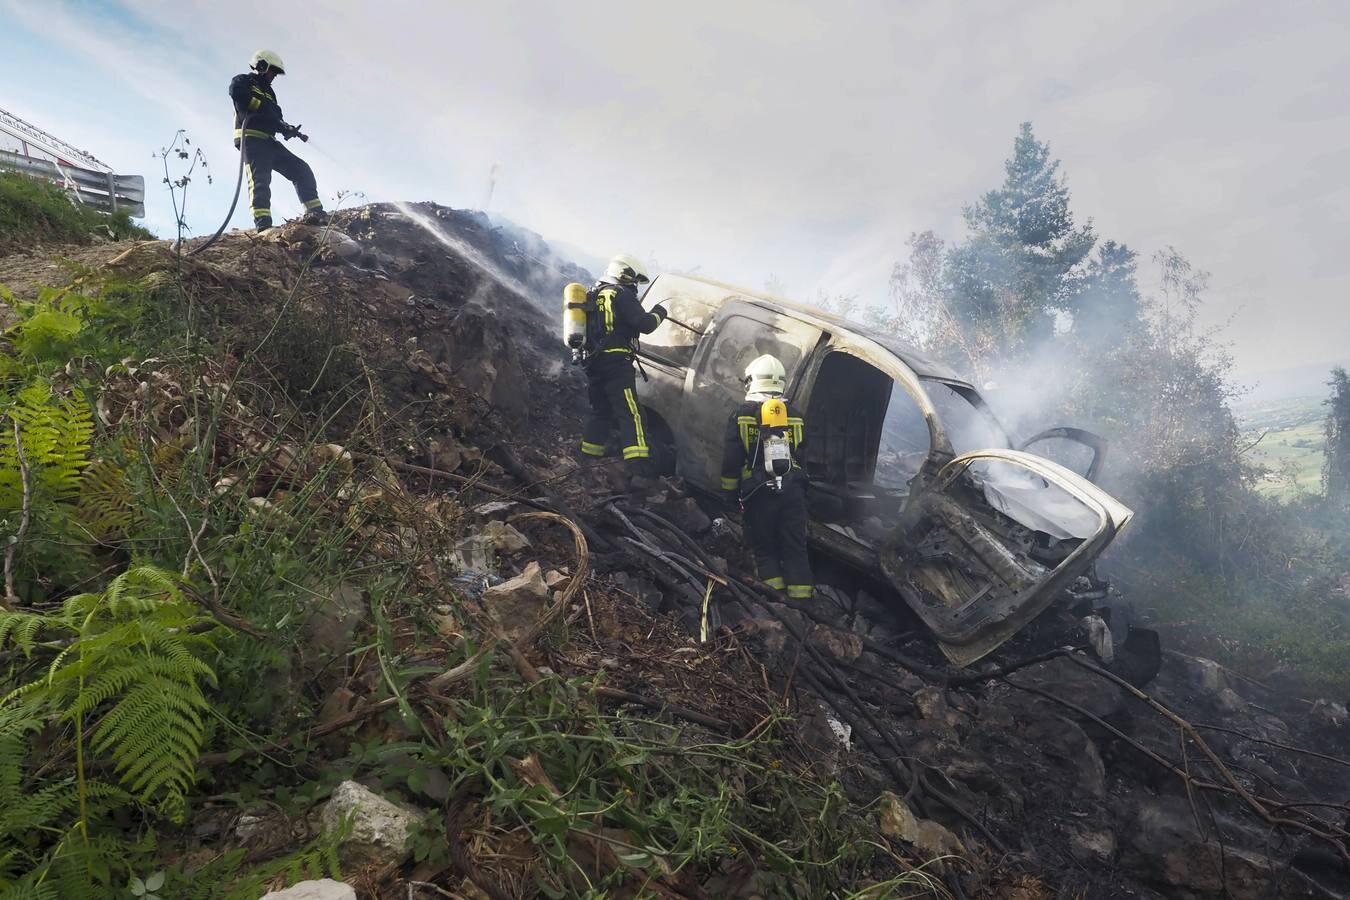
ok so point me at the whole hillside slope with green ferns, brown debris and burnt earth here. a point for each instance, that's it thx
(338, 468)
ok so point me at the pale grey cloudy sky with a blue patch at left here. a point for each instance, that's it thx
(794, 140)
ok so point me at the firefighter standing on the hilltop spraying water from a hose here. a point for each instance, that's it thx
(257, 125)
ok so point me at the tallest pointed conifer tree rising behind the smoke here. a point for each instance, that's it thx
(1020, 266)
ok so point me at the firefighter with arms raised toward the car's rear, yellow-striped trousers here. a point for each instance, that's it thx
(615, 319)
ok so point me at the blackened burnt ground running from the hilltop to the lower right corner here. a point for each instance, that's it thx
(1046, 781)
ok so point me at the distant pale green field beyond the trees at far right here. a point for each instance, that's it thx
(1293, 447)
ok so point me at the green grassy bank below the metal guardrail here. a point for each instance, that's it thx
(38, 211)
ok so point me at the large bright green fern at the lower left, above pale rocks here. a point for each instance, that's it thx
(136, 666)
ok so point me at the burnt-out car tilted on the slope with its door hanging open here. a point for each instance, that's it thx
(913, 480)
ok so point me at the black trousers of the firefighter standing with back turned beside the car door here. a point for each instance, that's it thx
(776, 526)
